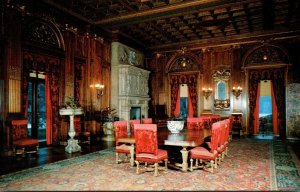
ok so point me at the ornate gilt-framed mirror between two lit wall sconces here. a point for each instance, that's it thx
(221, 78)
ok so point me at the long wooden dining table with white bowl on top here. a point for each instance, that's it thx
(186, 138)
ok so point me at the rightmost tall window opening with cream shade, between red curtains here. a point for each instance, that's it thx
(265, 108)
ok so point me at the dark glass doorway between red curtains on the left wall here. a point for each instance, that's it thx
(37, 106)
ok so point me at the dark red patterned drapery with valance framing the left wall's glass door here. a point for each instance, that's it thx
(52, 68)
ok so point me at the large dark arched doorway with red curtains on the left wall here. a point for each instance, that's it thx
(43, 52)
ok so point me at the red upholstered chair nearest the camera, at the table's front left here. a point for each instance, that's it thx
(146, 147)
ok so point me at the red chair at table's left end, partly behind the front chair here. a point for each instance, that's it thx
(121, 131)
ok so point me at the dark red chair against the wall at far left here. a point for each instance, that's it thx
(22, 143)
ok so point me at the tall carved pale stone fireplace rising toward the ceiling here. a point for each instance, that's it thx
(129, 82)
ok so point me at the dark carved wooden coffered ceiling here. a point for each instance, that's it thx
(169, 24)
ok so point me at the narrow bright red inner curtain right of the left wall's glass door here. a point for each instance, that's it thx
(48, 113)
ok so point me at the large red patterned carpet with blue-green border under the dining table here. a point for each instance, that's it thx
(251, 165)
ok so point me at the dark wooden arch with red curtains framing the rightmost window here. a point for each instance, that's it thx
(266, 62)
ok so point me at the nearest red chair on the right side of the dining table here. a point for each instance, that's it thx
(207, 155)
